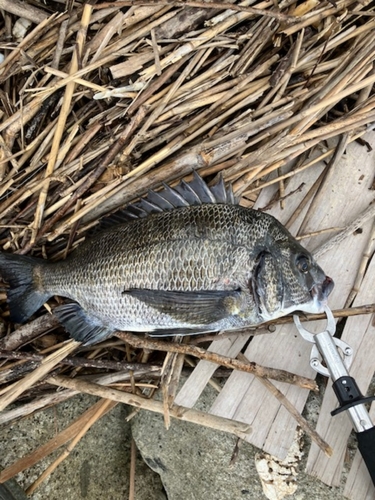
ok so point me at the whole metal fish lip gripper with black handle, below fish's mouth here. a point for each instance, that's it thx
(345, 387)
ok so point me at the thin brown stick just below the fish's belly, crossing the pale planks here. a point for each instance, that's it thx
(235, 364)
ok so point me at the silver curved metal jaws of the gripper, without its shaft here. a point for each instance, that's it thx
(315, 356)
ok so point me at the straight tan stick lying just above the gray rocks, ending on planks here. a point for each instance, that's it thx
(187, 414)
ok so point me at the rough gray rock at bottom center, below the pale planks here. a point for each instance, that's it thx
(195, 463)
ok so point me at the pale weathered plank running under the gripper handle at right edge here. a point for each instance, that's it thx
(359, 333)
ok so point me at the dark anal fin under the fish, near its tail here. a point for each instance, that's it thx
(80, 325)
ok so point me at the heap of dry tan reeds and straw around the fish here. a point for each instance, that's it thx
(98, 105)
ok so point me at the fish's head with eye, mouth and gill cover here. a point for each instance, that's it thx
(286, 278)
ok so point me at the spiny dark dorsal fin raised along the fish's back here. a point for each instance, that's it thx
(195, 192)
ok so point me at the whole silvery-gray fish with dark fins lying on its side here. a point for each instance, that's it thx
(180, 261)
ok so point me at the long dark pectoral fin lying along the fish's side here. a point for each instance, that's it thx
(198, 307)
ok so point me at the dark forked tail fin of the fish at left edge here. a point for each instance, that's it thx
(24, 297)
